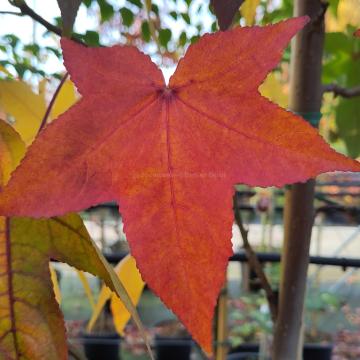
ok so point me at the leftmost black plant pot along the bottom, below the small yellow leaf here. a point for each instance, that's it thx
(102, 346)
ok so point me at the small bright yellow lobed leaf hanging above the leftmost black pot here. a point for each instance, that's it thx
(130, 277)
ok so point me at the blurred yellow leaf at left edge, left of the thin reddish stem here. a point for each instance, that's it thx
(27, 107)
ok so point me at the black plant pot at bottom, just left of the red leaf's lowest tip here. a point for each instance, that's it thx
(167, 348)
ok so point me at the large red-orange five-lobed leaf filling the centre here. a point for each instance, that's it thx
(170, 155)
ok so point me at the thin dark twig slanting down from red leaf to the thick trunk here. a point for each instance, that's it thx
(254, 262)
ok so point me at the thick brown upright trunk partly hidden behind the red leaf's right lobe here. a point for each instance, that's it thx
(305, 98)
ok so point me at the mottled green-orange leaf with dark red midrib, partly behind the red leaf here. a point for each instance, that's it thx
(31, 324)
